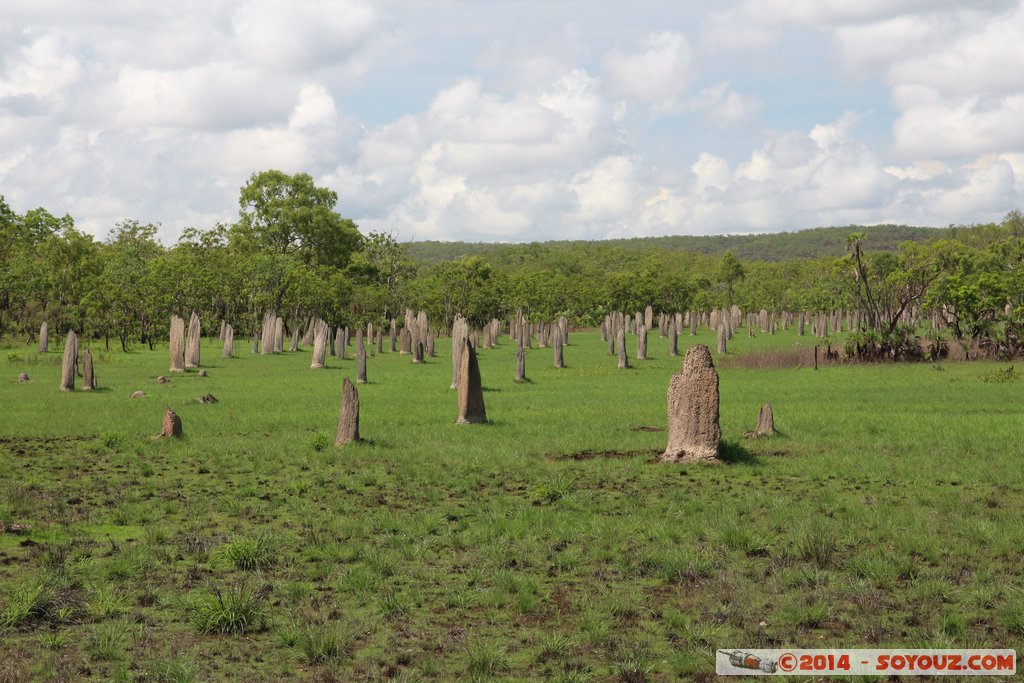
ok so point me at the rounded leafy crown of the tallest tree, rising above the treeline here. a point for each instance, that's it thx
(288, 215)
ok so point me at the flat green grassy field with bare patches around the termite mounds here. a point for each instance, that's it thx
(548, 545)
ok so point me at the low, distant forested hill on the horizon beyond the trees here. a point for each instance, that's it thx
(814, 243)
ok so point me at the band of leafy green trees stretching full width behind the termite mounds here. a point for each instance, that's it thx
(291, 252)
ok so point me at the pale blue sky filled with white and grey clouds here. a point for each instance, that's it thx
(519, 120)
